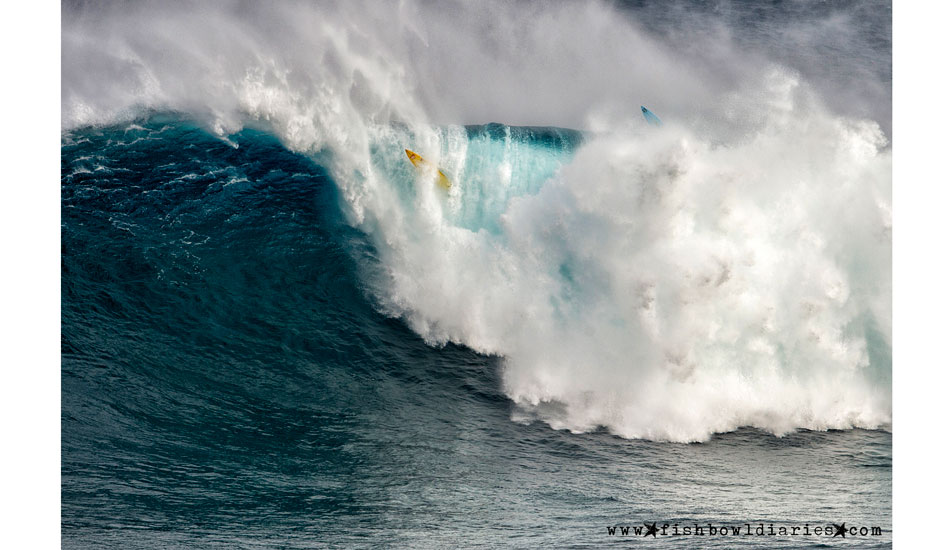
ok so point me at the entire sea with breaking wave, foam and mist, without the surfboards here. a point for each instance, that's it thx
(278, 333)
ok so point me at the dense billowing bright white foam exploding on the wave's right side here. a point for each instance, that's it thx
(669, 288)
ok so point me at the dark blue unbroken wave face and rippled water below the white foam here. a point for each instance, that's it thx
(226, 380)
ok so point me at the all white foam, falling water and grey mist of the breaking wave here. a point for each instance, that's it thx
(729, 269)
